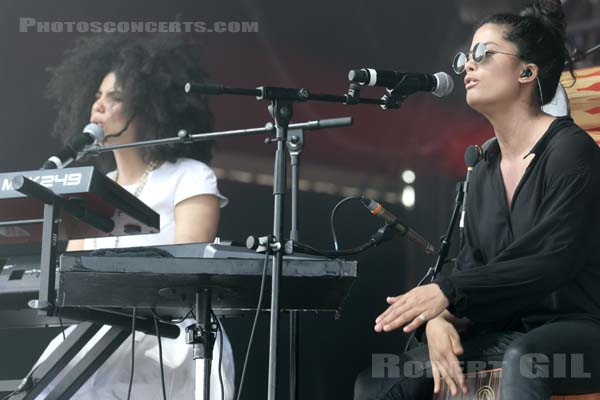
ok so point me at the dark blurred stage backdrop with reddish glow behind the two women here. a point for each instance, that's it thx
(410, 158)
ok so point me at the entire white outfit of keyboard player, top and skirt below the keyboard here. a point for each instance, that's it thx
(165, 187)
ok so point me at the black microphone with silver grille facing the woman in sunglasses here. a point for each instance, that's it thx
(440, 84)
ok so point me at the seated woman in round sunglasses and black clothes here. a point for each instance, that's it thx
(524, 292)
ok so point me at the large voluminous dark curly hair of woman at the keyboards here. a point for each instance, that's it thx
(151, 71)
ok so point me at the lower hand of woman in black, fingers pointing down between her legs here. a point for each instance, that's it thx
(444, 346)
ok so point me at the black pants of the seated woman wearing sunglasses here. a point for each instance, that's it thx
(561, 357)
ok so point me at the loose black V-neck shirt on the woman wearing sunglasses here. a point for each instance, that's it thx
(540, 258)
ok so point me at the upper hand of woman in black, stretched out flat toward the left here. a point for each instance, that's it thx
(413, 308)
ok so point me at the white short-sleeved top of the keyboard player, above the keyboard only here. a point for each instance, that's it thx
(166, 186)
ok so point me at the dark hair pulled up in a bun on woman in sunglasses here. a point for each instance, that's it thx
(539, 34)
